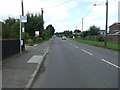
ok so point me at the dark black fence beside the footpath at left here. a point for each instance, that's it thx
(10, 47)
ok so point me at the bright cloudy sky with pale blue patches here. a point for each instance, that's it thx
(64, 14)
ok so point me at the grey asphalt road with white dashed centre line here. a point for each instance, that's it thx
(70, 64)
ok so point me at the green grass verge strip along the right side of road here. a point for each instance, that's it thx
(113, 46)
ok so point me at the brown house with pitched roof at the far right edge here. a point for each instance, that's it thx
(114, 29)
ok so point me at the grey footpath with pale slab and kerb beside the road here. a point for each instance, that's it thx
(20, 71)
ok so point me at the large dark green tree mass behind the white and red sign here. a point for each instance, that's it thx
(34, 23)
